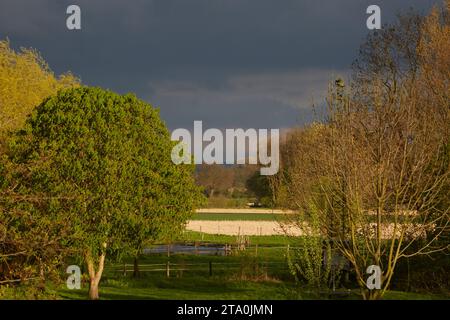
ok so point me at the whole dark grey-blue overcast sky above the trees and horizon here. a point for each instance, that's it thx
(230, 63)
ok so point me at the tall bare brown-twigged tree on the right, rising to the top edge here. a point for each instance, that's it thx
(378, 170)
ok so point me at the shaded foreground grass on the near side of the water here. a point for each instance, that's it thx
(214, 288)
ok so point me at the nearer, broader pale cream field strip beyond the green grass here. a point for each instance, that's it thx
(269, 228)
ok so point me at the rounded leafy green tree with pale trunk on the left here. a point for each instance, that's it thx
(102, 162)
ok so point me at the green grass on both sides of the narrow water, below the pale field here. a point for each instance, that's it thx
(242, 275)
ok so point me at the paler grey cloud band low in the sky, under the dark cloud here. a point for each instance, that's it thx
(267, 97)
